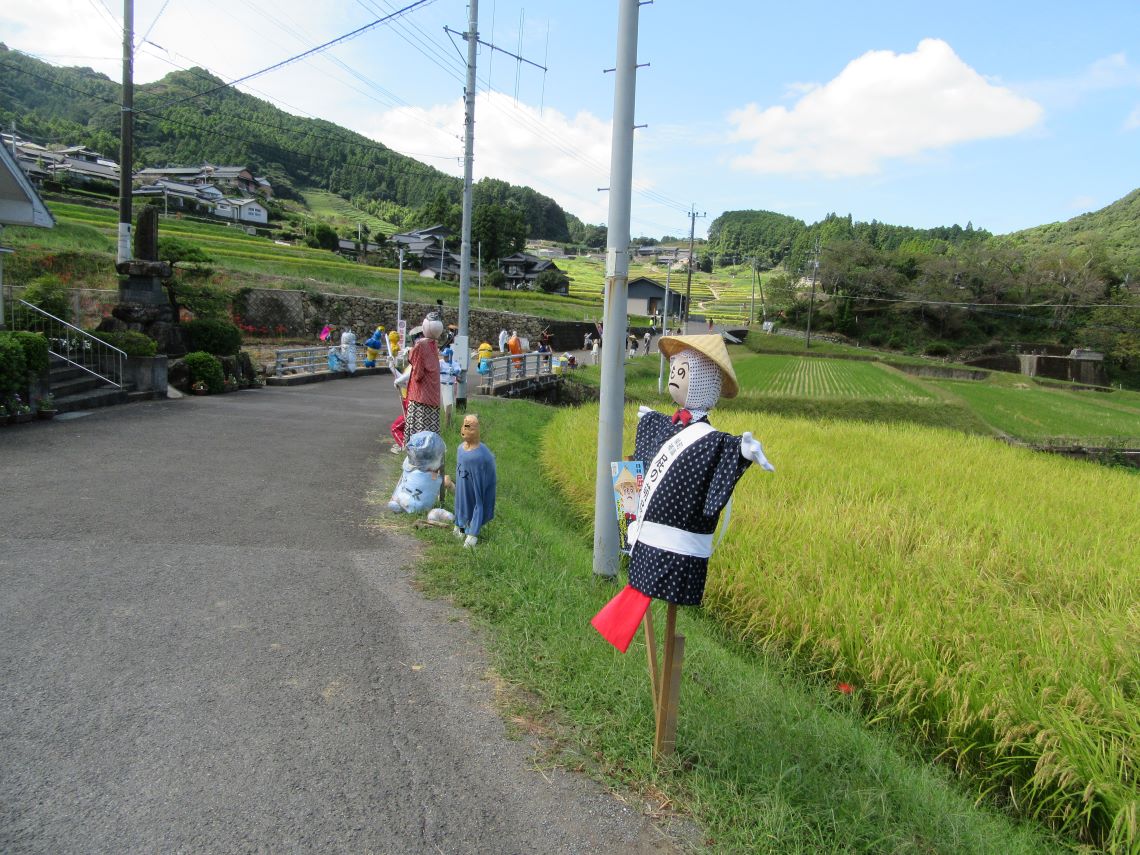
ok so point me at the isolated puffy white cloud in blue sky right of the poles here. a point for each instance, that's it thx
(882, 107)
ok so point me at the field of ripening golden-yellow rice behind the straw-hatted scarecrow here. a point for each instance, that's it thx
(982, 596)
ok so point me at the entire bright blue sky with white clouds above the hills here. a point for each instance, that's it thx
(1006, 116)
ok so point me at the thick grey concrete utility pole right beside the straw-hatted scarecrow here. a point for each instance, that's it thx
(610, 412)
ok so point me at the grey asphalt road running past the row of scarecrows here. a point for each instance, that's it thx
(205, 648)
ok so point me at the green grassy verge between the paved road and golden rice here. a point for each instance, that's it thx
(768, 761)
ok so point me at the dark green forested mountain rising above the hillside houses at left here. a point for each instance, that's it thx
(191, 118)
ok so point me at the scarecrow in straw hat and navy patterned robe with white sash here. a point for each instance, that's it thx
(691, 470)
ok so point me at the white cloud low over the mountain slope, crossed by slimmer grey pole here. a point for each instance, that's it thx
(566, 158)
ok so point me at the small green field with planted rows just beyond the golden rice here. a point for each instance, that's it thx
(799, 378)
